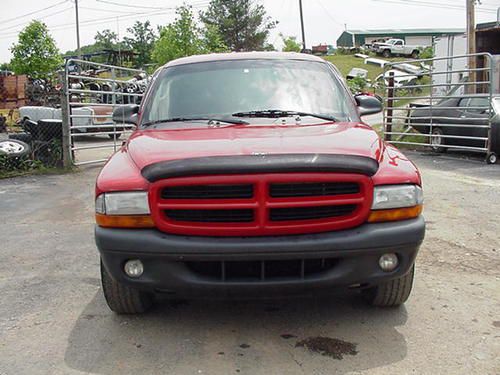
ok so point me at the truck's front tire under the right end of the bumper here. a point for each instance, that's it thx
(391, 293)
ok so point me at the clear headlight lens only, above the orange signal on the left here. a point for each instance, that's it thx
(126, 203)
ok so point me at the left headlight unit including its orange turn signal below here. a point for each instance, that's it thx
(123, 210)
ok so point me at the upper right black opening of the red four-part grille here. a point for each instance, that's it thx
(284, 190)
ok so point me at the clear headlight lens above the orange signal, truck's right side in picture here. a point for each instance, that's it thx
(396, 196)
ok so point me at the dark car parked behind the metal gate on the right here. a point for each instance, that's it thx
(457, 121)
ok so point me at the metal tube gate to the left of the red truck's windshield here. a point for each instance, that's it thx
(91, 92)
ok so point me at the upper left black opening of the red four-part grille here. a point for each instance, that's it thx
(213, 191)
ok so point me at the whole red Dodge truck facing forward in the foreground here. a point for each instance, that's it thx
(252, 175)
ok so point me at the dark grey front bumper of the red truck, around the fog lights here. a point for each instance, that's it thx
(166, 257)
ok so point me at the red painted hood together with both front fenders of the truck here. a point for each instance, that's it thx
(150, 146)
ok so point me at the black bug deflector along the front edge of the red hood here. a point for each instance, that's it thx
(245, 164)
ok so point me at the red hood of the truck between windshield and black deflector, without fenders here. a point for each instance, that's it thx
(155, 145)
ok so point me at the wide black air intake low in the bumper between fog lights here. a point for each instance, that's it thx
(261, 270)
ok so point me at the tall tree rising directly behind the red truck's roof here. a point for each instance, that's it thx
(244, 25)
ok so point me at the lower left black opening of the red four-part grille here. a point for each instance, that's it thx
(211, 216)
